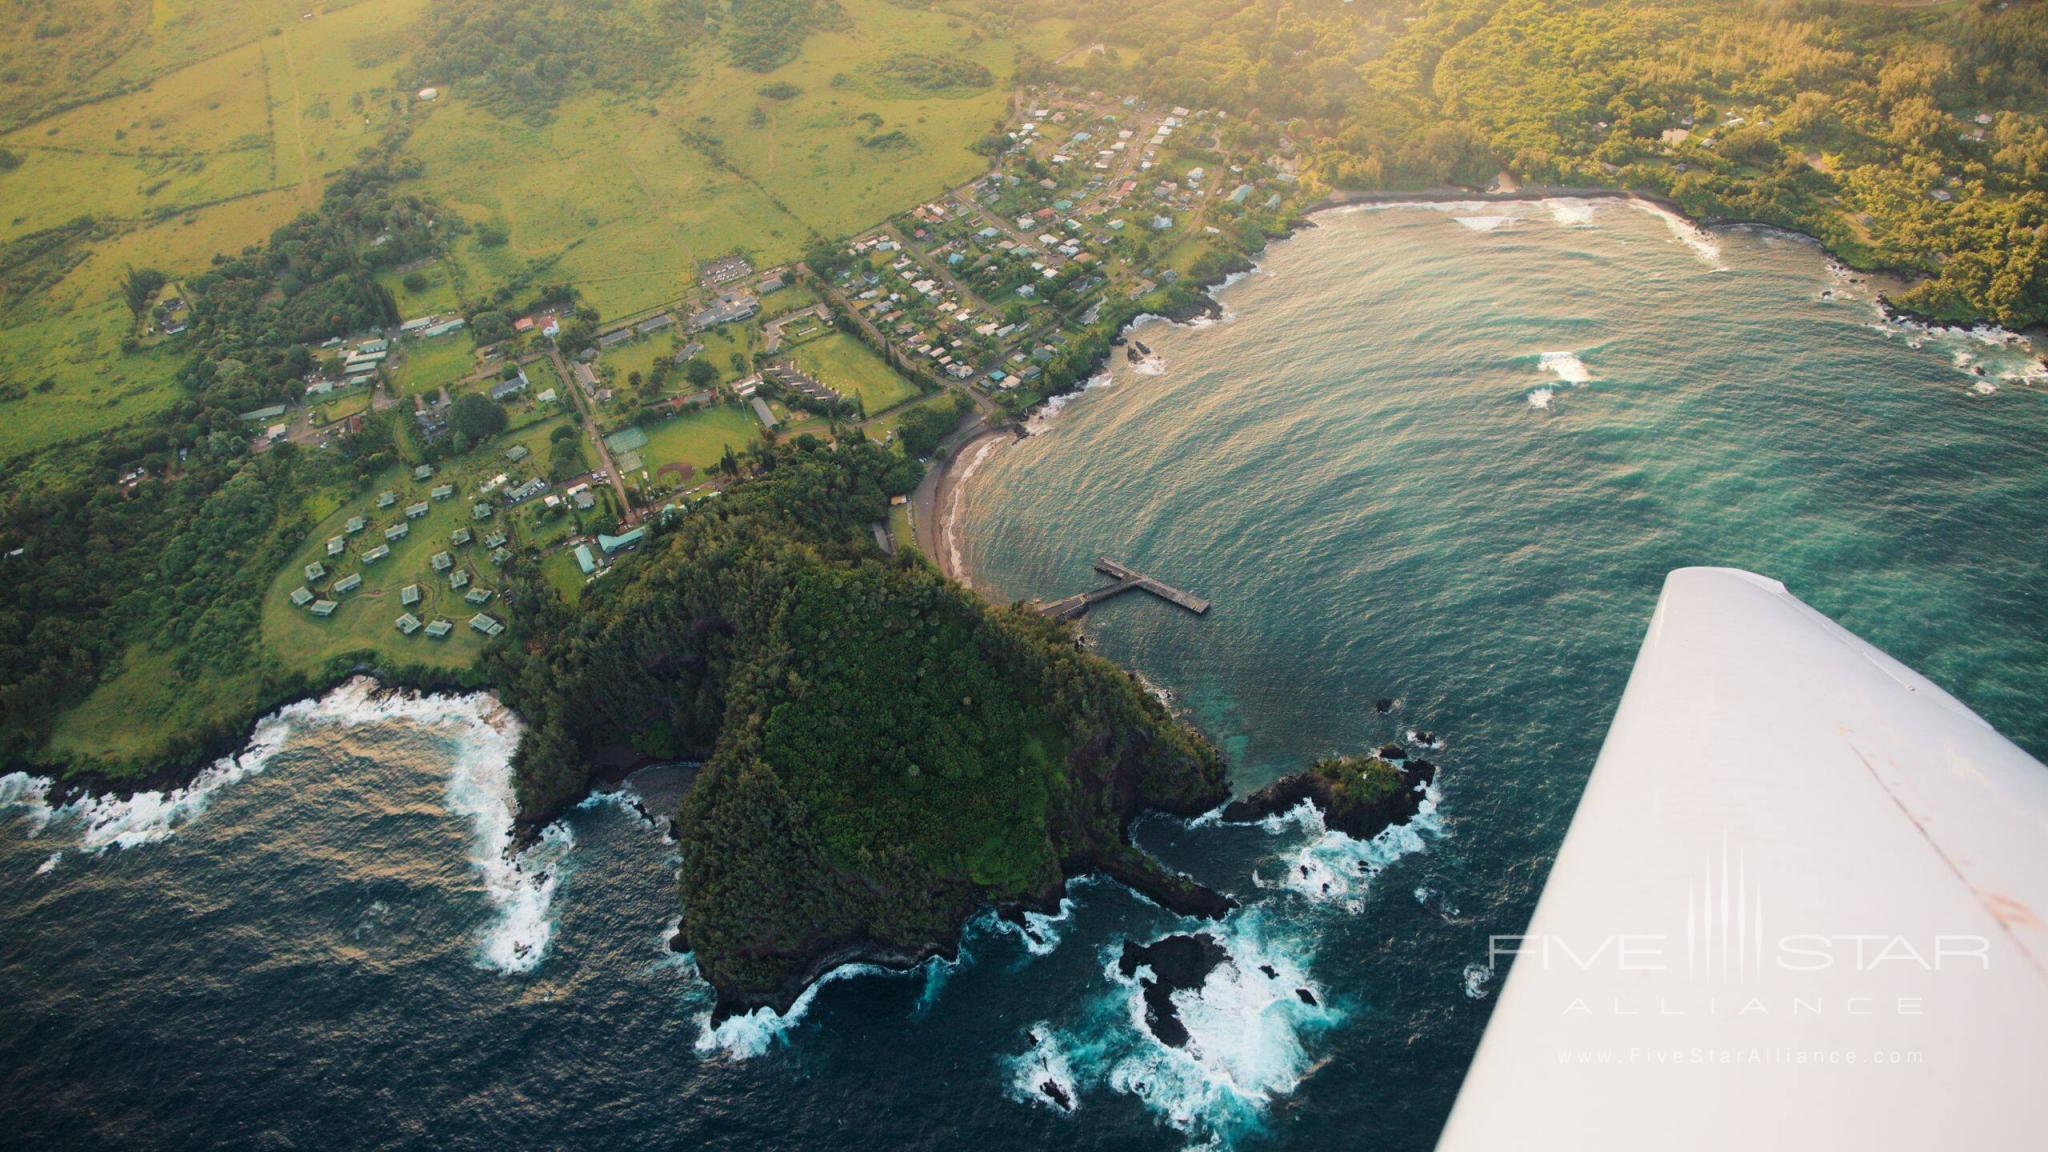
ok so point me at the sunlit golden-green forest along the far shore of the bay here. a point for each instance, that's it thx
(1914, 140)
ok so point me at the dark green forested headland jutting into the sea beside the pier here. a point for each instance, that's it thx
(884, 753)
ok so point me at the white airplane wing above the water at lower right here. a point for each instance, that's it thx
(1801, 905)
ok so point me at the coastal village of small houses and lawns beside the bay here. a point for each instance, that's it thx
(964, 311)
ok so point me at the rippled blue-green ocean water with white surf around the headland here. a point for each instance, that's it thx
(1439, 456)
